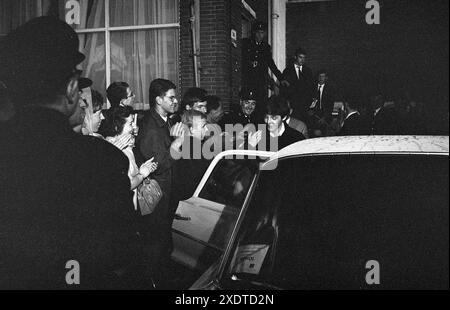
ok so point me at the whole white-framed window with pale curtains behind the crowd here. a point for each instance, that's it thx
(134, 41)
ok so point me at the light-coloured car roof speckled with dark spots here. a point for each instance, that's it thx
(367, 145)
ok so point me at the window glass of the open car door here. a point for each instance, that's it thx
(229, 182)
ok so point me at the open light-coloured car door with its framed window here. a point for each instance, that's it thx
(206, 220)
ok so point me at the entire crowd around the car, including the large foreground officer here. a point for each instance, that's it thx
(71, 170)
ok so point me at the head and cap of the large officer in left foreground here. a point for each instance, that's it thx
(36, 57)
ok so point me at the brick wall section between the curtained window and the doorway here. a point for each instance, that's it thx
(220, 61)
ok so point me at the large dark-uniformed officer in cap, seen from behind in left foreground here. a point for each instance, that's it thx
(66, 199)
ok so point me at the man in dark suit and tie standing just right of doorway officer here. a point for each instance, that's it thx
(301, 85)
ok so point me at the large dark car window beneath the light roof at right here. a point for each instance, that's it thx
(315, 222)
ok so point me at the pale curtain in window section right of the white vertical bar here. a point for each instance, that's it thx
(138, 57)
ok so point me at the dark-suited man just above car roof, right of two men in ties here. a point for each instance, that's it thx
(354, 124)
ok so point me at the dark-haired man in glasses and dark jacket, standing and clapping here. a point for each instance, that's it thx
(155, 140)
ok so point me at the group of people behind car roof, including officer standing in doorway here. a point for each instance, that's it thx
(318, 105)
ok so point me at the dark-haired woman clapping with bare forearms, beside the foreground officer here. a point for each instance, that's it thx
(118, 126)
